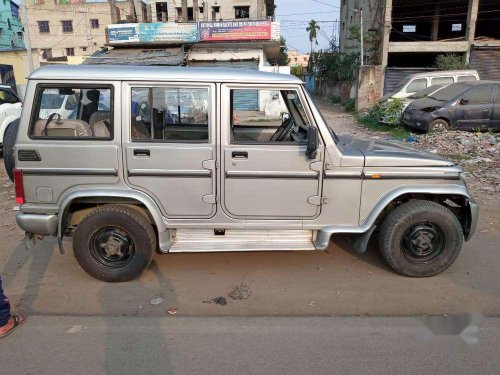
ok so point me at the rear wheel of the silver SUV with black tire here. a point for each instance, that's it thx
(114, 228)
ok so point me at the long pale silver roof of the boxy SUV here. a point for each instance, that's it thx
(157, 73)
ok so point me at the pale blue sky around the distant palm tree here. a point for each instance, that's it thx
(294, 16)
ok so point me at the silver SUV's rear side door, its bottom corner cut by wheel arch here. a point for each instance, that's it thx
(170, 146)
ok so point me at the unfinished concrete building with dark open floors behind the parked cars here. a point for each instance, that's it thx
(406, 36)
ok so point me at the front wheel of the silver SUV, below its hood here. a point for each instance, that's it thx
(420, 238)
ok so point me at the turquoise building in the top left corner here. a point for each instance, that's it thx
(11, 30)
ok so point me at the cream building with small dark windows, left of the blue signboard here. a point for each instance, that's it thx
(64, 29)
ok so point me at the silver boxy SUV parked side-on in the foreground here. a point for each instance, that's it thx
(225, 182)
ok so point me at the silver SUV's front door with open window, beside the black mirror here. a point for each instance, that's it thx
(265, 172)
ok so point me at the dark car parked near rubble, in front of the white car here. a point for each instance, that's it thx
(471, 105)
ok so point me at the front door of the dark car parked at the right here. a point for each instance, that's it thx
(475, 108)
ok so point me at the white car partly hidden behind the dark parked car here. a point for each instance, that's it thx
(416, 82)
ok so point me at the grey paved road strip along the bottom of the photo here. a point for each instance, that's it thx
(232, 345)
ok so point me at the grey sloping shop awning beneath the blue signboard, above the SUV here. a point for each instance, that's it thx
(138, 56)
